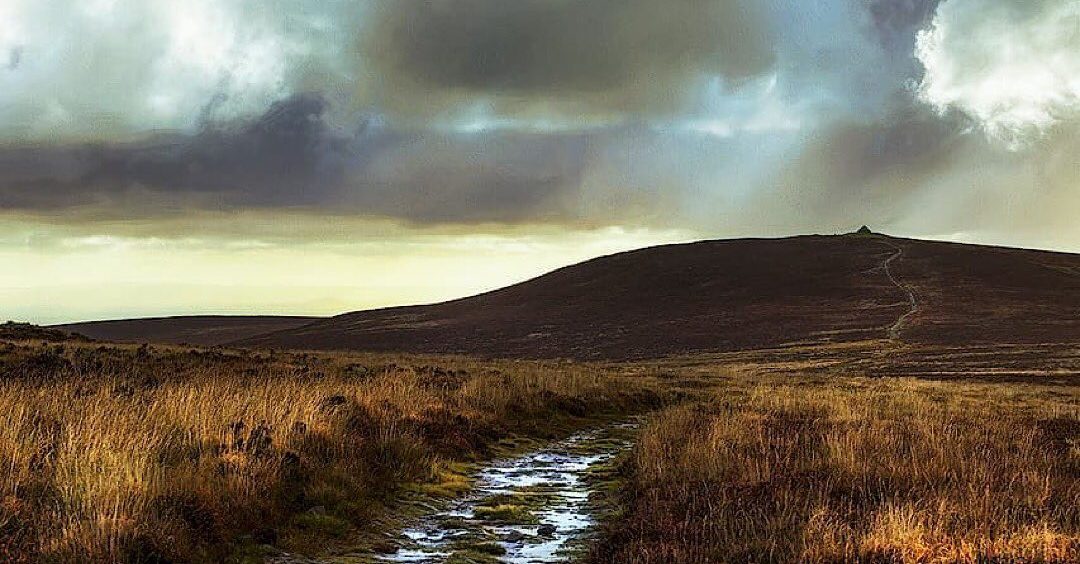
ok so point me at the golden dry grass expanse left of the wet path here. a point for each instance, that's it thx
(144, 455)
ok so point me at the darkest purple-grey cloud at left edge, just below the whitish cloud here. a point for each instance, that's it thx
(280, 158)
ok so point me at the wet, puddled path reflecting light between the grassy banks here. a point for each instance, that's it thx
(530, 509)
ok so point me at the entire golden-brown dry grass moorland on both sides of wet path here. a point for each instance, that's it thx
(158, 454)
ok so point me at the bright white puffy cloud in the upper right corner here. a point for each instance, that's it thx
(1011, 65)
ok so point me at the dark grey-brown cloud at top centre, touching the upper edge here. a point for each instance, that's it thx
(604, 57)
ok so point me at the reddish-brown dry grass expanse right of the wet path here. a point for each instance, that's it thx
(857, 471)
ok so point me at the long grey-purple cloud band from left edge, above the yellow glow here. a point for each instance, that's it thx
(292, 157)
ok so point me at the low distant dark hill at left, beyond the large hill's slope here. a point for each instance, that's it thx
(196, 330)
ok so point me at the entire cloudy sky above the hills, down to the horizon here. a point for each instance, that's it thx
(315, 157)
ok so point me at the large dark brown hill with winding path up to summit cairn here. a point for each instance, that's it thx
(738, 294)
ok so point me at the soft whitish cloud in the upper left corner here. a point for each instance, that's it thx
(114, 68)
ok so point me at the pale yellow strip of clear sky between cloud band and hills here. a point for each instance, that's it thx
(58, 275)
